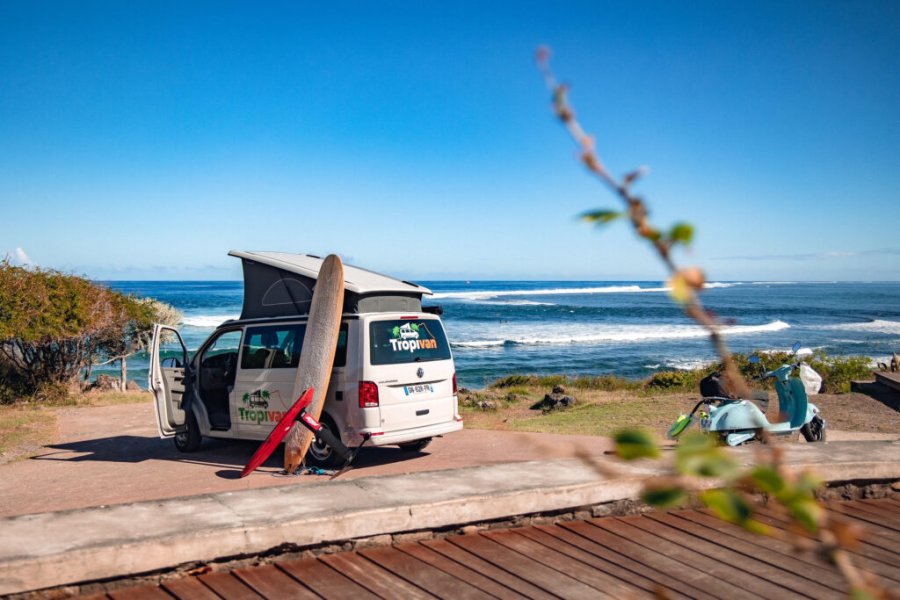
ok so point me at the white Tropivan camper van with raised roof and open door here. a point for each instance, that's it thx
(393, 376)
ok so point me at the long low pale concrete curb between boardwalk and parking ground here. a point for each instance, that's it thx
(52, 549)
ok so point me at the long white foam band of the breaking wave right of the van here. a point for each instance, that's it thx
(529, 334)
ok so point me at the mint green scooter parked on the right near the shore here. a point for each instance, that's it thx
(736, 421)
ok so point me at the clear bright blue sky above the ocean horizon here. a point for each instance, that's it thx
(143, 140)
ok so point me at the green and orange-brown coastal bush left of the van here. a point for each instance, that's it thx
(54, 327)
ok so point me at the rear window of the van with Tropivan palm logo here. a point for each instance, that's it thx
(404, 340)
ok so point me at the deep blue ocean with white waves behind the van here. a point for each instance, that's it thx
(627, 328)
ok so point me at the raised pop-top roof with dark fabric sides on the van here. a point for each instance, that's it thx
(280, 284)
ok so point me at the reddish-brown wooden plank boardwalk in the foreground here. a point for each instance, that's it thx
(688, 553)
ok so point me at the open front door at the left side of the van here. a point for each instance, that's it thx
(167, 380)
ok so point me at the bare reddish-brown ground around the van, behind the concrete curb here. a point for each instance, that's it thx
(111, 455)
